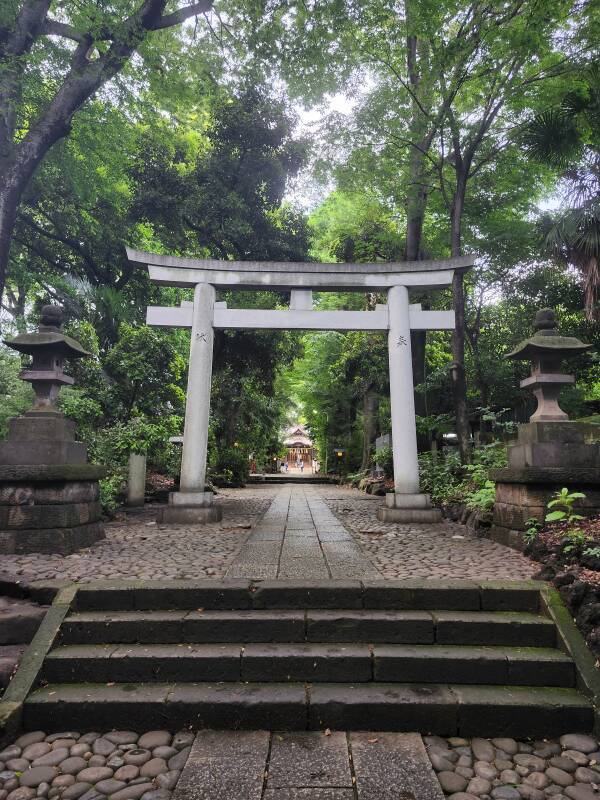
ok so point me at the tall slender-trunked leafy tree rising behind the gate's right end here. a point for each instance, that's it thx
(446, 85)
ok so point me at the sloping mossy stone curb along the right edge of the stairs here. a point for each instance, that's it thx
(573, 643)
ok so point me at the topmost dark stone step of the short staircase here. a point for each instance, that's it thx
(229, 594)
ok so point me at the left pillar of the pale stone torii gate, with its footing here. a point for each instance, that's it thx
(192, 503)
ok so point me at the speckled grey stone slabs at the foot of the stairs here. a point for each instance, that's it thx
(258, 765)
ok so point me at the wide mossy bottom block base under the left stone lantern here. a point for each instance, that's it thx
(49, 509)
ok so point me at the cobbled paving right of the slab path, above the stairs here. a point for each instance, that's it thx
(442, 550)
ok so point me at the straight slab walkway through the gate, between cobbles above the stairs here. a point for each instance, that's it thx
(299, 538)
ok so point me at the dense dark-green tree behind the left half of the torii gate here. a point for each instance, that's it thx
(225, 199)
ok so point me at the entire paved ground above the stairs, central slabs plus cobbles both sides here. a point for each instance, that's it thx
(308, 531)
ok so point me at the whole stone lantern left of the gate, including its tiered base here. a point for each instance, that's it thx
(49, 494)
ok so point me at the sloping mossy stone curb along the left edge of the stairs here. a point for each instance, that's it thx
(29, 669)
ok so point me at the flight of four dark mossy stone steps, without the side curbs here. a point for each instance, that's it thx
(453, 658)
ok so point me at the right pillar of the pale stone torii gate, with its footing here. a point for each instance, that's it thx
(405, 503)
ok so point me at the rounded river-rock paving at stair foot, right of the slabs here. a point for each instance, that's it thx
(505, 769)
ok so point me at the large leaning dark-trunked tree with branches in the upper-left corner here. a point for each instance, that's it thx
(86, 47)
